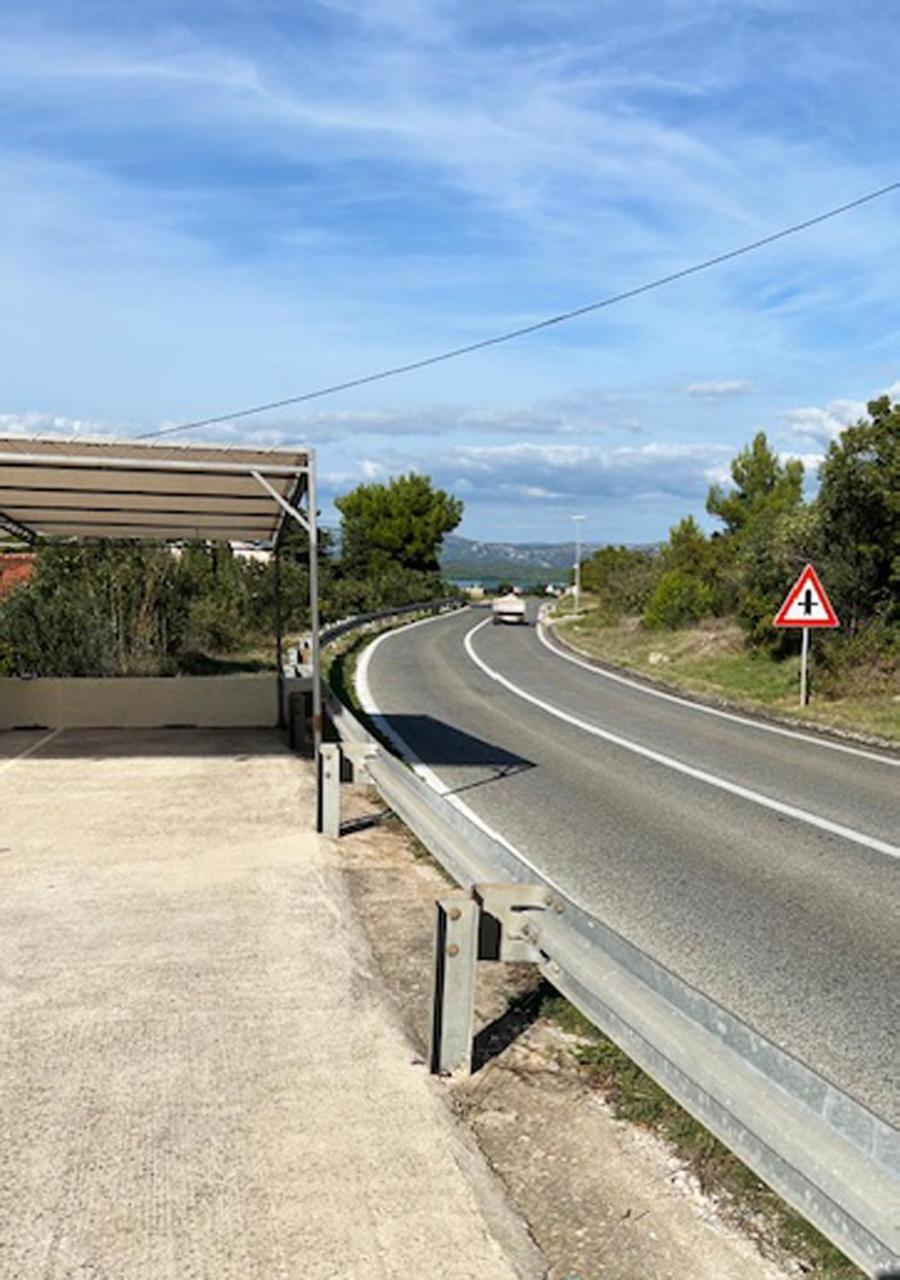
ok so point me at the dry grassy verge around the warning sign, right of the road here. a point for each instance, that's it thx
(710, 660)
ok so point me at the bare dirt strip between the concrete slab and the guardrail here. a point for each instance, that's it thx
(604, 1200)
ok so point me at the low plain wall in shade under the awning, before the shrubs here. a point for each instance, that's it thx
(208, 702)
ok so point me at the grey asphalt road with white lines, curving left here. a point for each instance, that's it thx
(757, 866)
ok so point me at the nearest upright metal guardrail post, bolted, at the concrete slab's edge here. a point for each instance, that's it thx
(454, 993)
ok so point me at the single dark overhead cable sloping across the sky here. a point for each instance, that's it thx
(454, 354)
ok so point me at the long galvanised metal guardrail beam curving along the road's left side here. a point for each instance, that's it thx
(835, 1162)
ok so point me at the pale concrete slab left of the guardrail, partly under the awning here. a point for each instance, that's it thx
(199, 1073)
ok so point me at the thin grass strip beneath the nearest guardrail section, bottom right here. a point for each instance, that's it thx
(744, 1200)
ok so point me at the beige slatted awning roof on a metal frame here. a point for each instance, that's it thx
(72, 488)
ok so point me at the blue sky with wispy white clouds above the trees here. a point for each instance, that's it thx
(213, 204)
